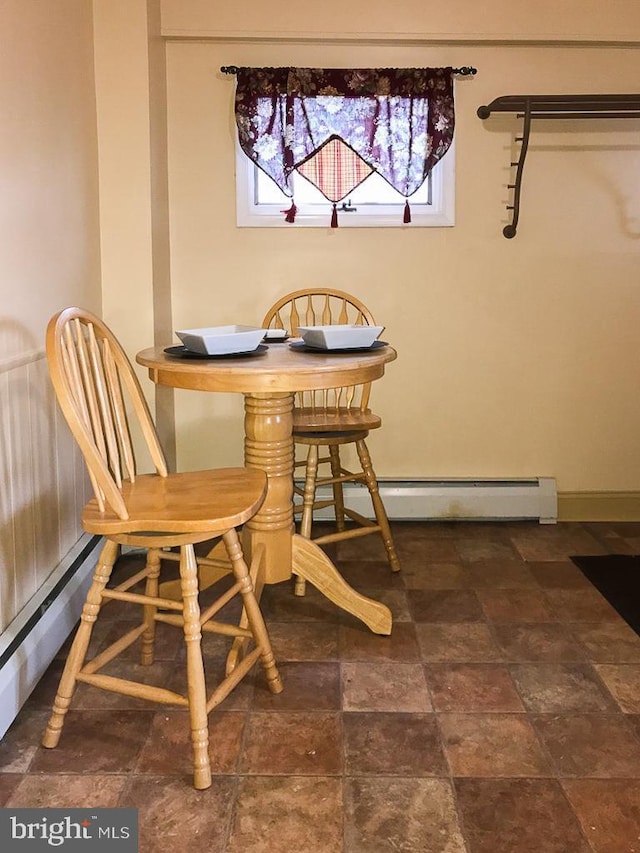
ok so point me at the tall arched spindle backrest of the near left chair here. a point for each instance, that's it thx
(96, 389)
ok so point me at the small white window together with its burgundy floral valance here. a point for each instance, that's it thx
(371, 141)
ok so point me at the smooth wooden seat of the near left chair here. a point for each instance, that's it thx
(190, 502)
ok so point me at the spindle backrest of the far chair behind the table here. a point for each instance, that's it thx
(322, 307)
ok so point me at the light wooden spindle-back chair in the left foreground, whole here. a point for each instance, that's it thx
(99, 394)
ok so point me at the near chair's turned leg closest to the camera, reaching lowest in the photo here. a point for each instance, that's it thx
(195, 668)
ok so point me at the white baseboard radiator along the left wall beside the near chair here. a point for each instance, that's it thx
(33, 638)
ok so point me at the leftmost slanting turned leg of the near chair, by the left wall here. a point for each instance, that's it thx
(78, 651)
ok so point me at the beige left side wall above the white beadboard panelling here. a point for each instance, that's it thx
(49, 242)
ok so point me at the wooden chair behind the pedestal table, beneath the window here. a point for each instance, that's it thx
(332, 419)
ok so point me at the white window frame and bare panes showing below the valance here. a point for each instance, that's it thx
(373, 204)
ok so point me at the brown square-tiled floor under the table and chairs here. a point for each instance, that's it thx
(501, 716)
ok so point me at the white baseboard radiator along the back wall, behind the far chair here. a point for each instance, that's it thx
(456, 499)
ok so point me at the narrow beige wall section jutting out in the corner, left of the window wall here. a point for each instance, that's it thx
(122, 94)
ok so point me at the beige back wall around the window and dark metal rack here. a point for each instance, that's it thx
(516, 358)
